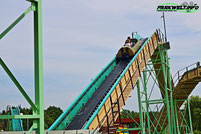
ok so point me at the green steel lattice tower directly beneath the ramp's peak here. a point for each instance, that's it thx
(153, 120)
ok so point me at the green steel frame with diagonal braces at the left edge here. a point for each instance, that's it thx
(38, 108)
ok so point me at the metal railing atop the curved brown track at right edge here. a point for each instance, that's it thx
(177, 77)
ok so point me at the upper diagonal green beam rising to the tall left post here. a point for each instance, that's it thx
(15, 22)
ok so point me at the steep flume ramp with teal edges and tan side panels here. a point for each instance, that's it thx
(109, 105)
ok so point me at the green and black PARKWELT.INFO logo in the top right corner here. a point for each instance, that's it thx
(185, 7)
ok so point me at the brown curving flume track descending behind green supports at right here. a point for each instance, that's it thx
(186, 80)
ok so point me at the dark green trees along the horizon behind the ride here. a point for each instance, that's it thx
(52, 113)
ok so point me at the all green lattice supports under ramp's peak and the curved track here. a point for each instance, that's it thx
(153, 106)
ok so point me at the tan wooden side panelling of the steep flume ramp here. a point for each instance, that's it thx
(143, 58)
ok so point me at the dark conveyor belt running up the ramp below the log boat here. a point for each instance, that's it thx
(91, 105)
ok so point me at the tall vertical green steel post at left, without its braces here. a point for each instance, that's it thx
(38, 66)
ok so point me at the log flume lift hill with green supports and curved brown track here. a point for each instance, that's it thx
(98, 112)
